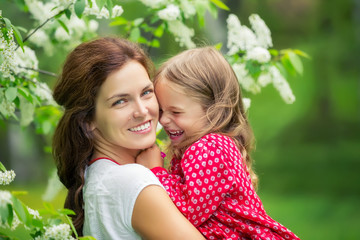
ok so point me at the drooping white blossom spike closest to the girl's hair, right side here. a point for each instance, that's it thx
(245, 79)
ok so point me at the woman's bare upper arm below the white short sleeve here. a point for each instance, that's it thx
(156, 217)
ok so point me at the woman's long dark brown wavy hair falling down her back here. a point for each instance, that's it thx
(84, 71)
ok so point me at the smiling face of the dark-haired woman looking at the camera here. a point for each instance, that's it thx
(127, 111)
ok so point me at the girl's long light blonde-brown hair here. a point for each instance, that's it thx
(205, 76)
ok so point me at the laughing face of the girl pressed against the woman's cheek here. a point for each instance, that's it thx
(180, 115)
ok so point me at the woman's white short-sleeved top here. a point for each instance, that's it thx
(109, 194)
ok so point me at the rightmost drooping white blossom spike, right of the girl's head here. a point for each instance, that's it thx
(281, 85)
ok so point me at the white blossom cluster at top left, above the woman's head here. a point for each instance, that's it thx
(76, 28)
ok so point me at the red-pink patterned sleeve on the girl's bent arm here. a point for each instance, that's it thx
(205, 181)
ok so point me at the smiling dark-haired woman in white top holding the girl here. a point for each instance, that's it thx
(110, 115)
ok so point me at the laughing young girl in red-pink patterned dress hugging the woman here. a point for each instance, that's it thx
(211, 180)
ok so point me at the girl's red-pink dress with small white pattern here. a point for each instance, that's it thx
(211, 186)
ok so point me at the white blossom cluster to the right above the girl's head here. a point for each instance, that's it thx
(254, 68)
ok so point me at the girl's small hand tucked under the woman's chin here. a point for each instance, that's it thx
(150, 157)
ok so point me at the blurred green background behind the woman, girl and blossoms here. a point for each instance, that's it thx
(307, 154)
